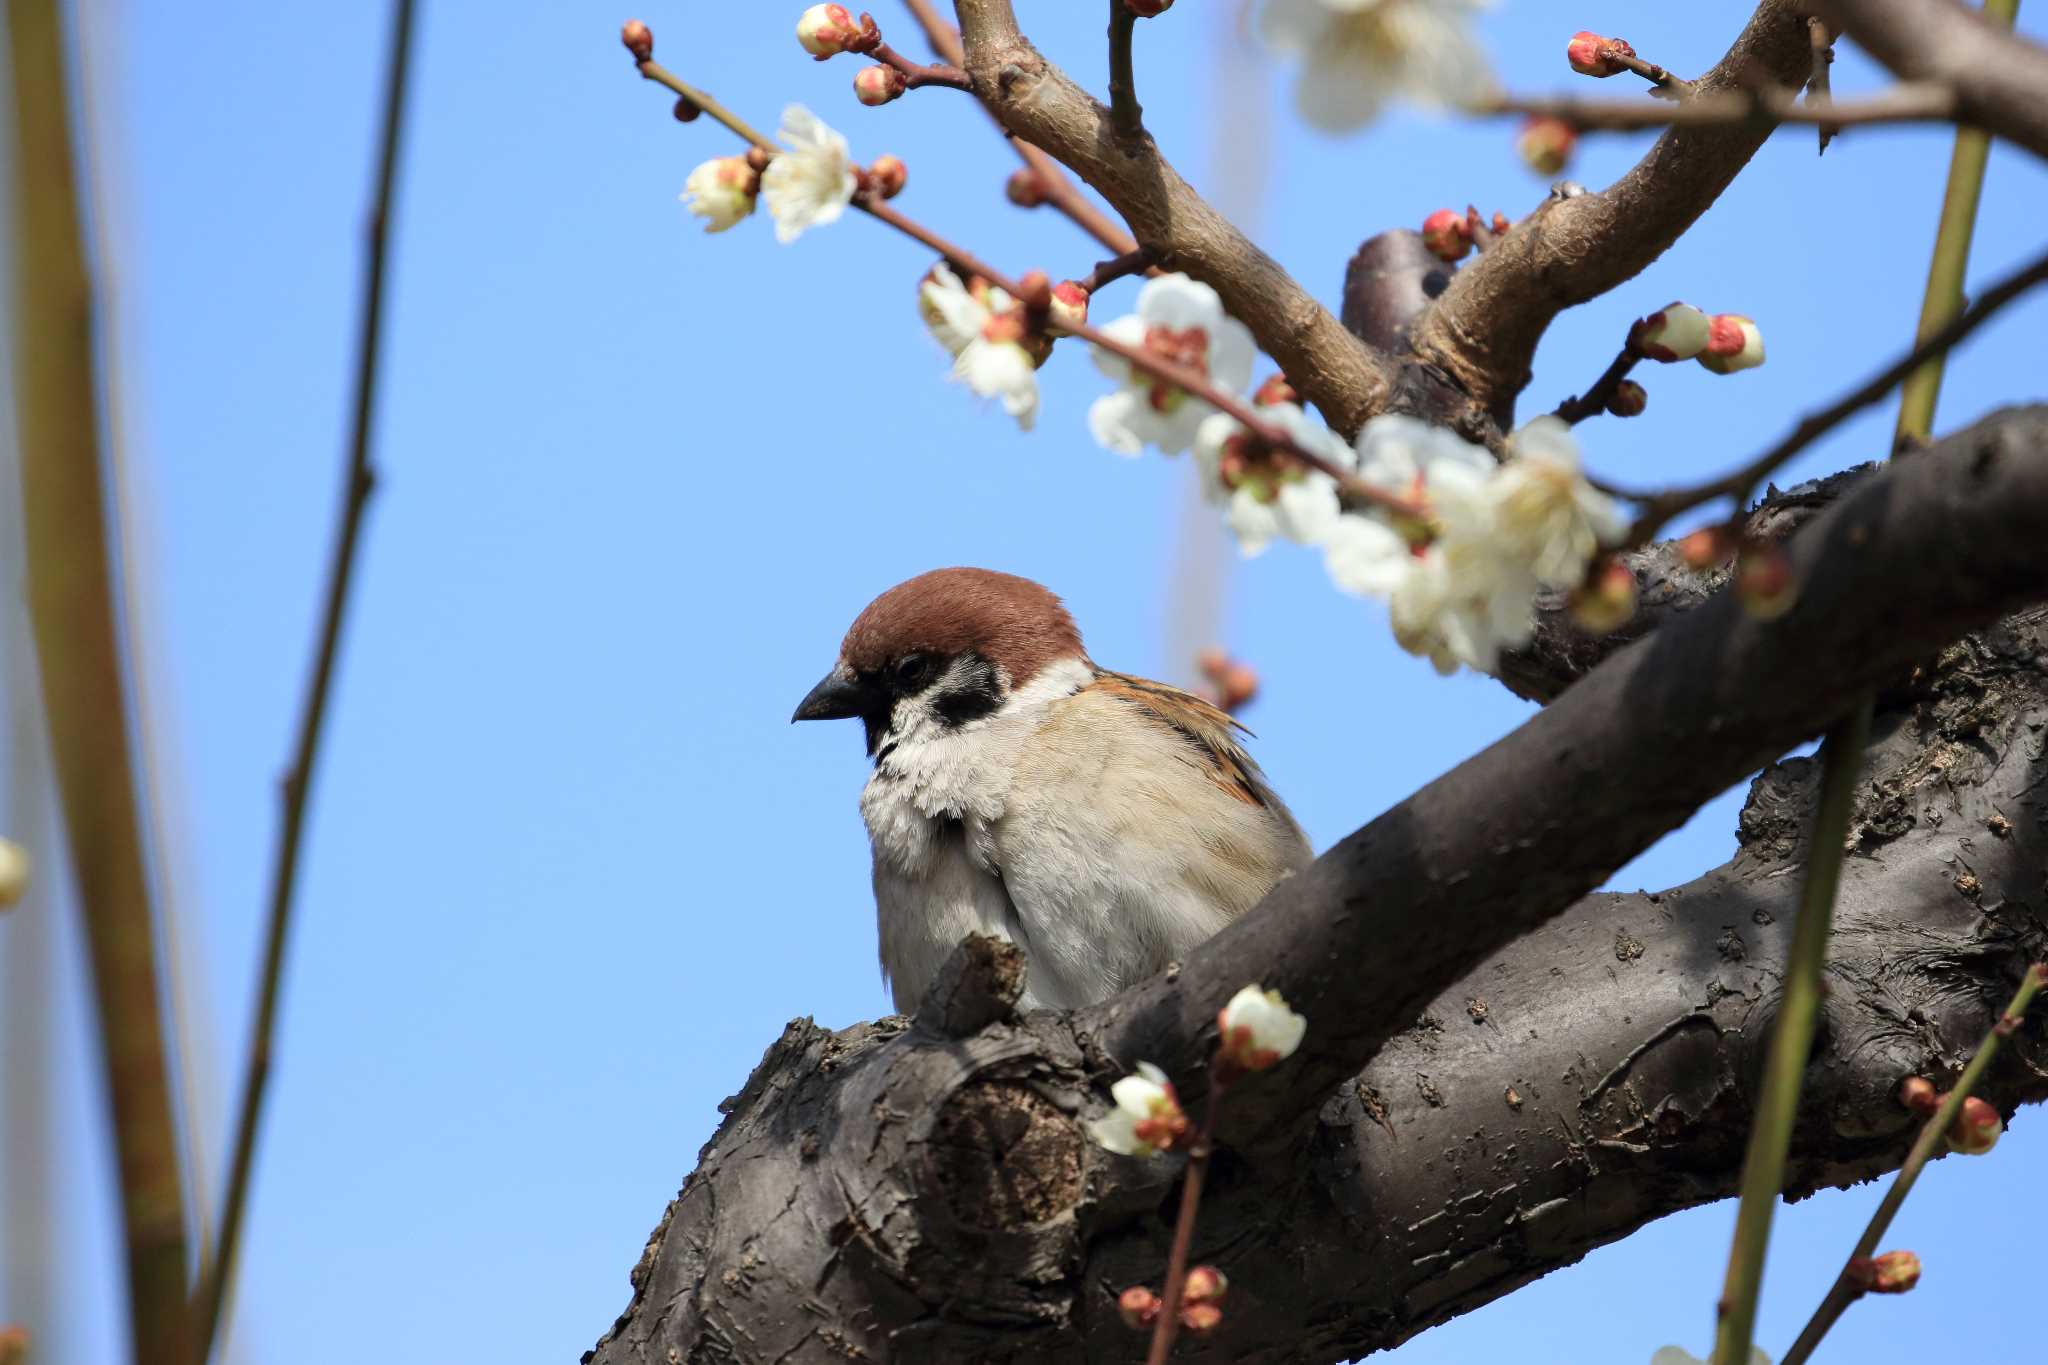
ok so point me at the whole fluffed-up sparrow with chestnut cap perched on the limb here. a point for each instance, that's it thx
(1099, 822)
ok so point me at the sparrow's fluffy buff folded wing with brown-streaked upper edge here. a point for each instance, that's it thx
(1136, 828)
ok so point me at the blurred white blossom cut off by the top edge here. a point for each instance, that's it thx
(1359, 54)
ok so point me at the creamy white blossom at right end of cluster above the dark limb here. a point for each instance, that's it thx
(1547, 515)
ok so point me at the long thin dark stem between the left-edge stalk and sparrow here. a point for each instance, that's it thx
(357, 484)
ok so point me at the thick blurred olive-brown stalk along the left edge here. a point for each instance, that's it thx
(73, 611)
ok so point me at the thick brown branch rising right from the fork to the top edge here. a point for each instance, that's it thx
(1486, 326)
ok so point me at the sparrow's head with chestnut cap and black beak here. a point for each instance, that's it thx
(943, 650)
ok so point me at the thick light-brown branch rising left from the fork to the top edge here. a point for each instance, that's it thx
(1031, 97)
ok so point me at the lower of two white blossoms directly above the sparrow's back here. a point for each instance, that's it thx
(1269, 492)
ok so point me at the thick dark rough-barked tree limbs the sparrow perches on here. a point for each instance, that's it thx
(1504, 1071)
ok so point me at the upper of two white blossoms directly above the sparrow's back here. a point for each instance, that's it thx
(1185, 322)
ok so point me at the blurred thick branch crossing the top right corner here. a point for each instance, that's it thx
(2000, 77)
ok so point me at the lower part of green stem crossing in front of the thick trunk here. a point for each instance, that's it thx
(1799, 1012)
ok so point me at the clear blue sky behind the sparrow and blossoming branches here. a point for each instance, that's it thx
(570, 869)
